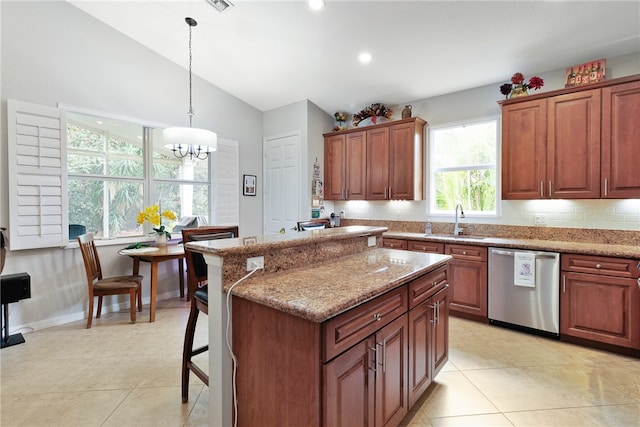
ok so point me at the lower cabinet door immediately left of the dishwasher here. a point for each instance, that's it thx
(468, 281)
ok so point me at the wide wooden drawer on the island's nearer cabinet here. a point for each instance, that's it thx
(345, 330)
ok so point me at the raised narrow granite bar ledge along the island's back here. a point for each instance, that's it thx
(243, 245)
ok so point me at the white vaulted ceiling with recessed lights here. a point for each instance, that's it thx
(273, 53)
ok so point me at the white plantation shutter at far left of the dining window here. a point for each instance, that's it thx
(37, 176)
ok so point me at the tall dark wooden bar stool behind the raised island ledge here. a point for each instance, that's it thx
(199, 295)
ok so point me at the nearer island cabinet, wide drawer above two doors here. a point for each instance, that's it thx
(384, 356)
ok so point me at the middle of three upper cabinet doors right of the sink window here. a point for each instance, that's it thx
(573, 146)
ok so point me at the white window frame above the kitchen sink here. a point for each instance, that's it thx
(431, 169)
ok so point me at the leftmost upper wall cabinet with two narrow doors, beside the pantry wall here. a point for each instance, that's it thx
(345, 166)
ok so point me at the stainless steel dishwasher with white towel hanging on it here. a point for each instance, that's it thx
(524, 290)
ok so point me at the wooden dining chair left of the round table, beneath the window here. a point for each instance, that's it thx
(100, 286)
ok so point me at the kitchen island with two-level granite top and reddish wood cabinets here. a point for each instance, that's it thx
(323, 295)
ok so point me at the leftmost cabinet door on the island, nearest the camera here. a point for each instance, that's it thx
(349, 387)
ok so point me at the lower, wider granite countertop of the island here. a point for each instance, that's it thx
(320, 291)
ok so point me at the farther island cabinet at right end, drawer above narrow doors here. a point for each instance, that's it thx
(428, 331)
